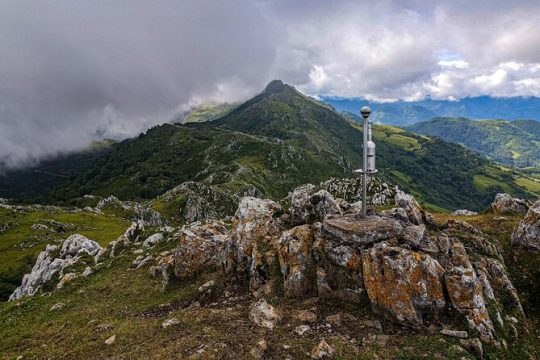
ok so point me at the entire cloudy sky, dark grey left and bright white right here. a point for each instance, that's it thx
(72, 71)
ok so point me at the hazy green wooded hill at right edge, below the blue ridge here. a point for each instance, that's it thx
(514, 143)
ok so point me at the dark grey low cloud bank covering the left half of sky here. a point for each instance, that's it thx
(73, 71)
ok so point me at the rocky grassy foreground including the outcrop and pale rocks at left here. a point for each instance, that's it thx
(307, 278)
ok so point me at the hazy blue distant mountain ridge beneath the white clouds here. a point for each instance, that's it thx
(403, 113)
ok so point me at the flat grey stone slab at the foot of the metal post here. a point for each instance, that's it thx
(360, 232)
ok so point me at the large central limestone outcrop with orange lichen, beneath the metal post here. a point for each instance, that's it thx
(408, 268)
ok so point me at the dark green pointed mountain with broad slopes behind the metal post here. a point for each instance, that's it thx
(274, 142)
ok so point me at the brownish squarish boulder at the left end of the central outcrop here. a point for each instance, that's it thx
(199, 248)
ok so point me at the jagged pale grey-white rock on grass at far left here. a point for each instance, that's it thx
(51, 263)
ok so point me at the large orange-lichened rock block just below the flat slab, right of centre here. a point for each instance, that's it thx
(402, 284)
